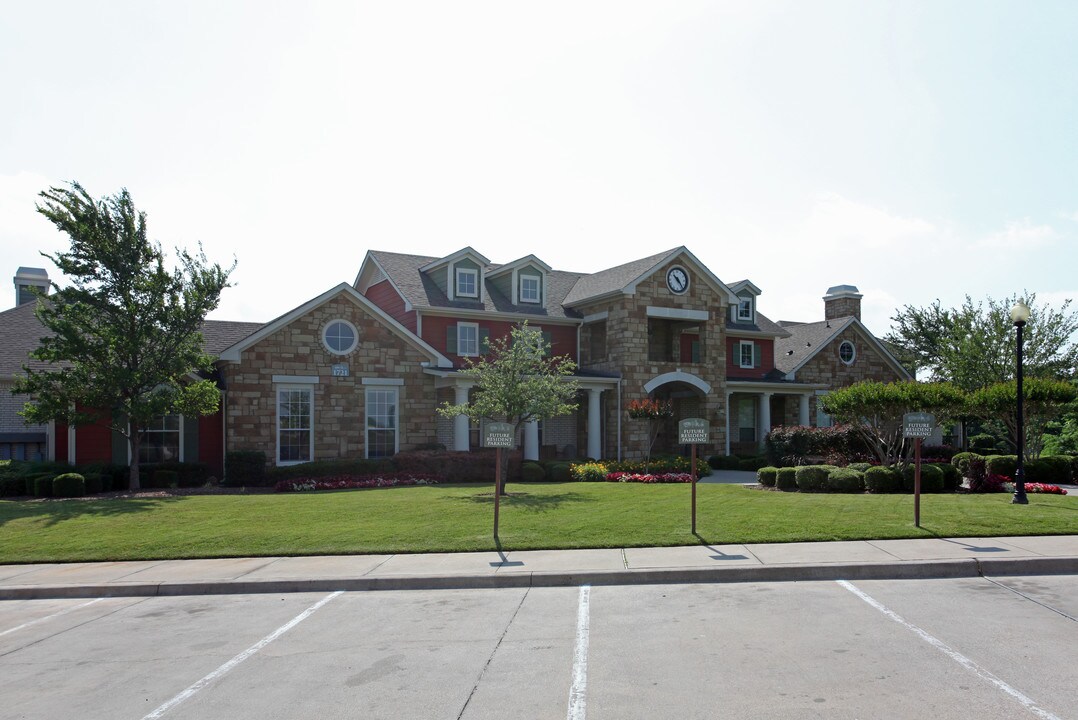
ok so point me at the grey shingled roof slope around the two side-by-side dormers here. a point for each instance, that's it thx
(421, 293)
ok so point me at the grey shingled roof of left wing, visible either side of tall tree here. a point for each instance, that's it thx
(21, 331)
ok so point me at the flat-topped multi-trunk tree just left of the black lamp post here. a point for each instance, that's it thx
(876, 411)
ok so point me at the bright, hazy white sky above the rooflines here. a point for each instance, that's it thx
(919, 150)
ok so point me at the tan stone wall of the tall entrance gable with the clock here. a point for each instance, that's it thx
(627, 341)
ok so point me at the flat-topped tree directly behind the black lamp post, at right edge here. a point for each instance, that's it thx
(1043, 401)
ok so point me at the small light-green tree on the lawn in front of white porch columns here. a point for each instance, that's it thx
(518, 382)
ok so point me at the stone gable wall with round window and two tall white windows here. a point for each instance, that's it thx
(339, 403)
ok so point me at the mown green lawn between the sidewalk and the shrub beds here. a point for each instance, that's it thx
(459, 518)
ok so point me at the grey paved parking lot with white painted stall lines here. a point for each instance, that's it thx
(987, 648)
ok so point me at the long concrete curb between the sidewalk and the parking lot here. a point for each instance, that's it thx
(793, 573)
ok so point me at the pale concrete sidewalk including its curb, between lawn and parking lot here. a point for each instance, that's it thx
(964, 558)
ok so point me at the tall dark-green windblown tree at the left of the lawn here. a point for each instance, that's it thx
(125, 345)
